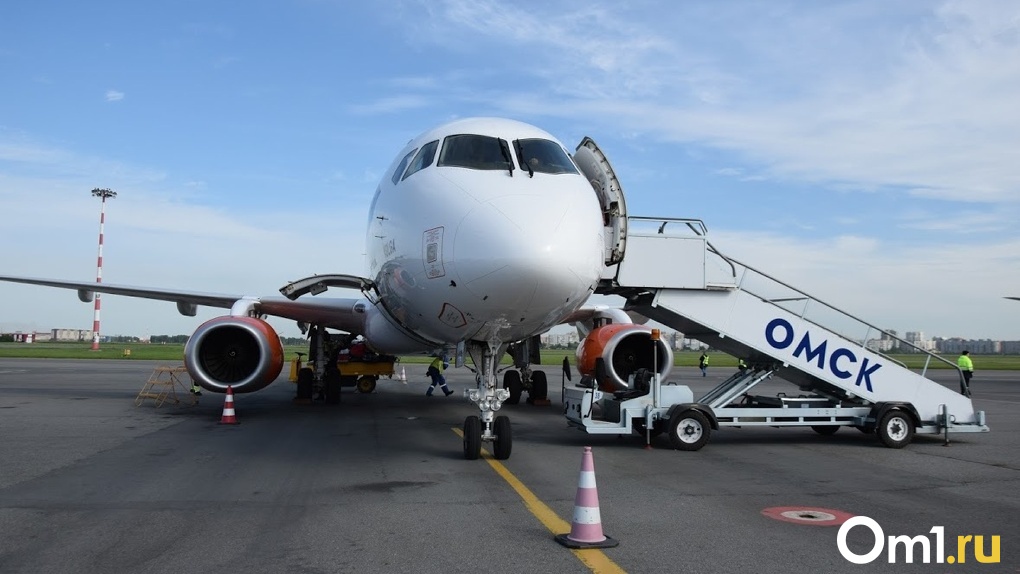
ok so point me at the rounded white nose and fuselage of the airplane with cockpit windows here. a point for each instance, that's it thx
(484, 230)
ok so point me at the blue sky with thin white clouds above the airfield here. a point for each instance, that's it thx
(865, 152)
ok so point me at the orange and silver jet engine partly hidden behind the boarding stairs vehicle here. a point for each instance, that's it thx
(624, 348)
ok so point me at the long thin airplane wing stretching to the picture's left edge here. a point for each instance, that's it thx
(343, 315)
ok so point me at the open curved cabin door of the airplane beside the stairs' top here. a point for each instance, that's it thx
(596, 168)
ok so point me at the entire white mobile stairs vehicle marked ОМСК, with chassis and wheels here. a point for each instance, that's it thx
(836, 361)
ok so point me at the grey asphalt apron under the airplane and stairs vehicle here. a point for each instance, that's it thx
(92, 484)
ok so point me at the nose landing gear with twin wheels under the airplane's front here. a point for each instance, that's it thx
(487, 428)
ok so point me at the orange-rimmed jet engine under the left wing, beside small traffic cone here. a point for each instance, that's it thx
(241, 352)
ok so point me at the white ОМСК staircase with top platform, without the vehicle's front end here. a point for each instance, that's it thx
(672, 275)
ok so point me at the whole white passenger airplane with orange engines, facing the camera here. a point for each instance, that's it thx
(484, 234)
